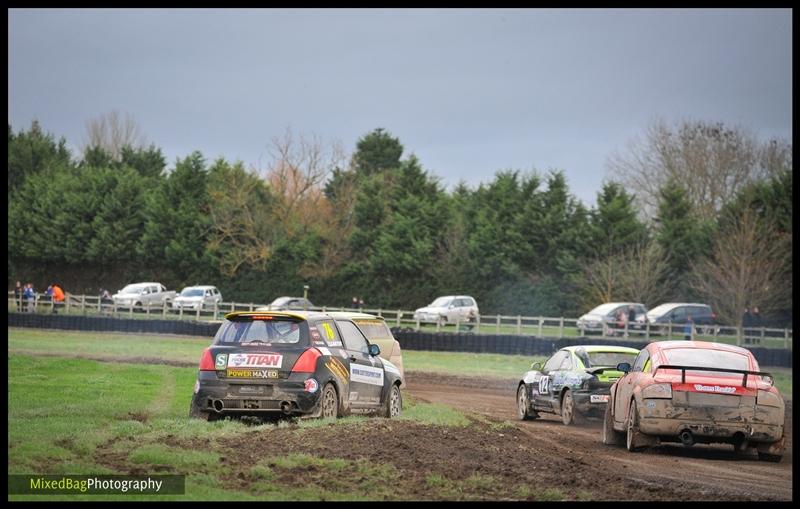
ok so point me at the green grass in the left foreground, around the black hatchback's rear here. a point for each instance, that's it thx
(61, 410)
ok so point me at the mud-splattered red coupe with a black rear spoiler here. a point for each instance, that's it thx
(696, 392)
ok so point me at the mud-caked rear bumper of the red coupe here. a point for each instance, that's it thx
(712, 424)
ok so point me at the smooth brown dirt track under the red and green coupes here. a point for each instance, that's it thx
(666, 472)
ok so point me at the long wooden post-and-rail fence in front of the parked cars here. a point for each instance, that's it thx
(538, 326)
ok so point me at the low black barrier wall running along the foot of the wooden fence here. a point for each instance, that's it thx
(508, 344)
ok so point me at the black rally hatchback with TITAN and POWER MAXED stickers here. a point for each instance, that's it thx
(293, 363)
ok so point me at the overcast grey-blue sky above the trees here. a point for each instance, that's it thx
(469, 91)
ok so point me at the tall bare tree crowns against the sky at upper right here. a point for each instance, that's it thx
(711, 160)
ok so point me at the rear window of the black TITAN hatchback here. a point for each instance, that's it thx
(268, 330)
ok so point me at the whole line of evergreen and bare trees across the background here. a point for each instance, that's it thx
(694, 212)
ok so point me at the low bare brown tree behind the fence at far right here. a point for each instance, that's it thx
(749, 265)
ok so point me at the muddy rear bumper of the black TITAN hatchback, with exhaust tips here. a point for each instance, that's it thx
(244, 397)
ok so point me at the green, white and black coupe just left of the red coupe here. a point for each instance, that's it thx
(573, 383)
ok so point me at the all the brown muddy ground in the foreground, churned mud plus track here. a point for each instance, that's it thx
(490, 459)
